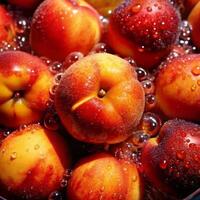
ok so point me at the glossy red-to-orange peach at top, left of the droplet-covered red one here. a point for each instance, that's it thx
(60, 27)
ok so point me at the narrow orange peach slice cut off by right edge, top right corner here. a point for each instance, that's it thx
(194, 18)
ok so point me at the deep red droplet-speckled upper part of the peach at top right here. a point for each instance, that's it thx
(155, 29)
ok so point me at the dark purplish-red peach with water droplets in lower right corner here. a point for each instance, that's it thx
(172, 161)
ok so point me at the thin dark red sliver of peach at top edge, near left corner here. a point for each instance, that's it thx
(26, 4)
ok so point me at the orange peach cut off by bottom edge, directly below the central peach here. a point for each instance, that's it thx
(101, 176)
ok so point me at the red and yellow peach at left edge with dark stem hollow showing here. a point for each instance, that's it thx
(24, 84)
